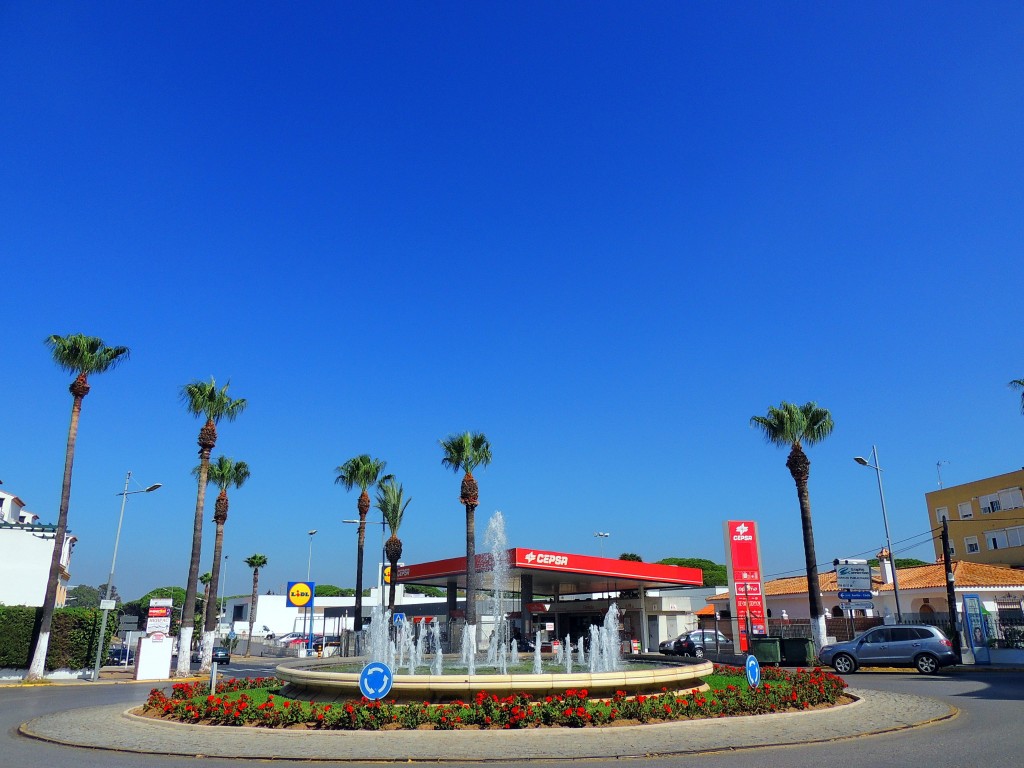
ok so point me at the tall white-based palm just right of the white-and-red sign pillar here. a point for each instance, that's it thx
(202, 399)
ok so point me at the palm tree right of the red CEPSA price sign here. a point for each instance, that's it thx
(793, 426)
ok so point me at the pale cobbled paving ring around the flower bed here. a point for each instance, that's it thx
(113, 729)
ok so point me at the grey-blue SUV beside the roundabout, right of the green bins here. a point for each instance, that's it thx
(905, 646)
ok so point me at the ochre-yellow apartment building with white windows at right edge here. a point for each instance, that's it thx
(987, 520)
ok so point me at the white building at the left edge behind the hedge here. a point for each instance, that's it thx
(26, 551)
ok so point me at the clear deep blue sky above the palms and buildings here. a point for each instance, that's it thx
(605, 235)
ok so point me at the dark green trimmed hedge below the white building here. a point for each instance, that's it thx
(73, 637)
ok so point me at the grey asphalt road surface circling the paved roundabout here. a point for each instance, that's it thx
(988, 733)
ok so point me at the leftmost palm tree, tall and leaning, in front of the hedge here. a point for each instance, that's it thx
(79, 356)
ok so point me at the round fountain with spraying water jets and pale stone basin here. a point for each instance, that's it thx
(602, 671)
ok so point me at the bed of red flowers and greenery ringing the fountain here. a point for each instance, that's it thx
(232, 705)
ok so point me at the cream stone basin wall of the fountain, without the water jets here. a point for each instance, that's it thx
(306, 682)
